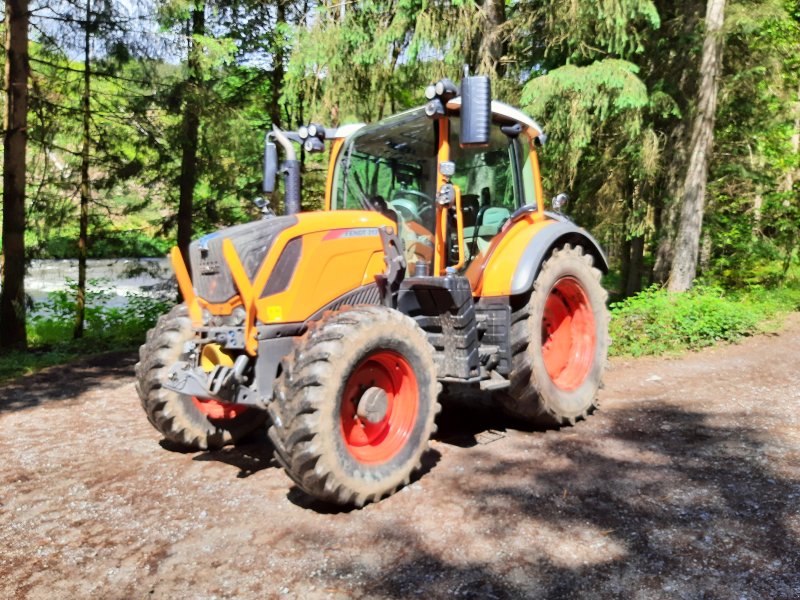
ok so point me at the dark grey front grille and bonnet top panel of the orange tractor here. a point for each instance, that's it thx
(210, 274)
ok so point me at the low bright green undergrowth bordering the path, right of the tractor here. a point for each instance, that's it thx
(655, 321)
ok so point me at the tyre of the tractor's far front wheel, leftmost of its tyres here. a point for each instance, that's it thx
(175, 415)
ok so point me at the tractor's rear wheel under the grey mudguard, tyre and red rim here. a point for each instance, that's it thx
(567, 280)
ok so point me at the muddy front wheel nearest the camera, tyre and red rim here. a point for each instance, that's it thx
(310, 410)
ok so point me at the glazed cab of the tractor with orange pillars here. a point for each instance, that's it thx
(396, 167)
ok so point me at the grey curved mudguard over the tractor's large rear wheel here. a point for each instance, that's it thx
(561, 231)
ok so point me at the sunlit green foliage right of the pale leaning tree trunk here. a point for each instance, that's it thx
(753, 213)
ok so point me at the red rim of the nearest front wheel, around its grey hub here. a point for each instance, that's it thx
(374, 443)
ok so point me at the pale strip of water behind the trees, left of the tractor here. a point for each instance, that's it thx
(119, 276)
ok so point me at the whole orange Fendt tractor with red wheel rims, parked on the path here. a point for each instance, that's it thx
(434, 262)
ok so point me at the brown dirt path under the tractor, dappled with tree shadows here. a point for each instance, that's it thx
(686, 484)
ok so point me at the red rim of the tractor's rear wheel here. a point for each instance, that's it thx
(568, 334)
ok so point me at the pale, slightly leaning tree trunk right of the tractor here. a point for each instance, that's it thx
(687, 243)
